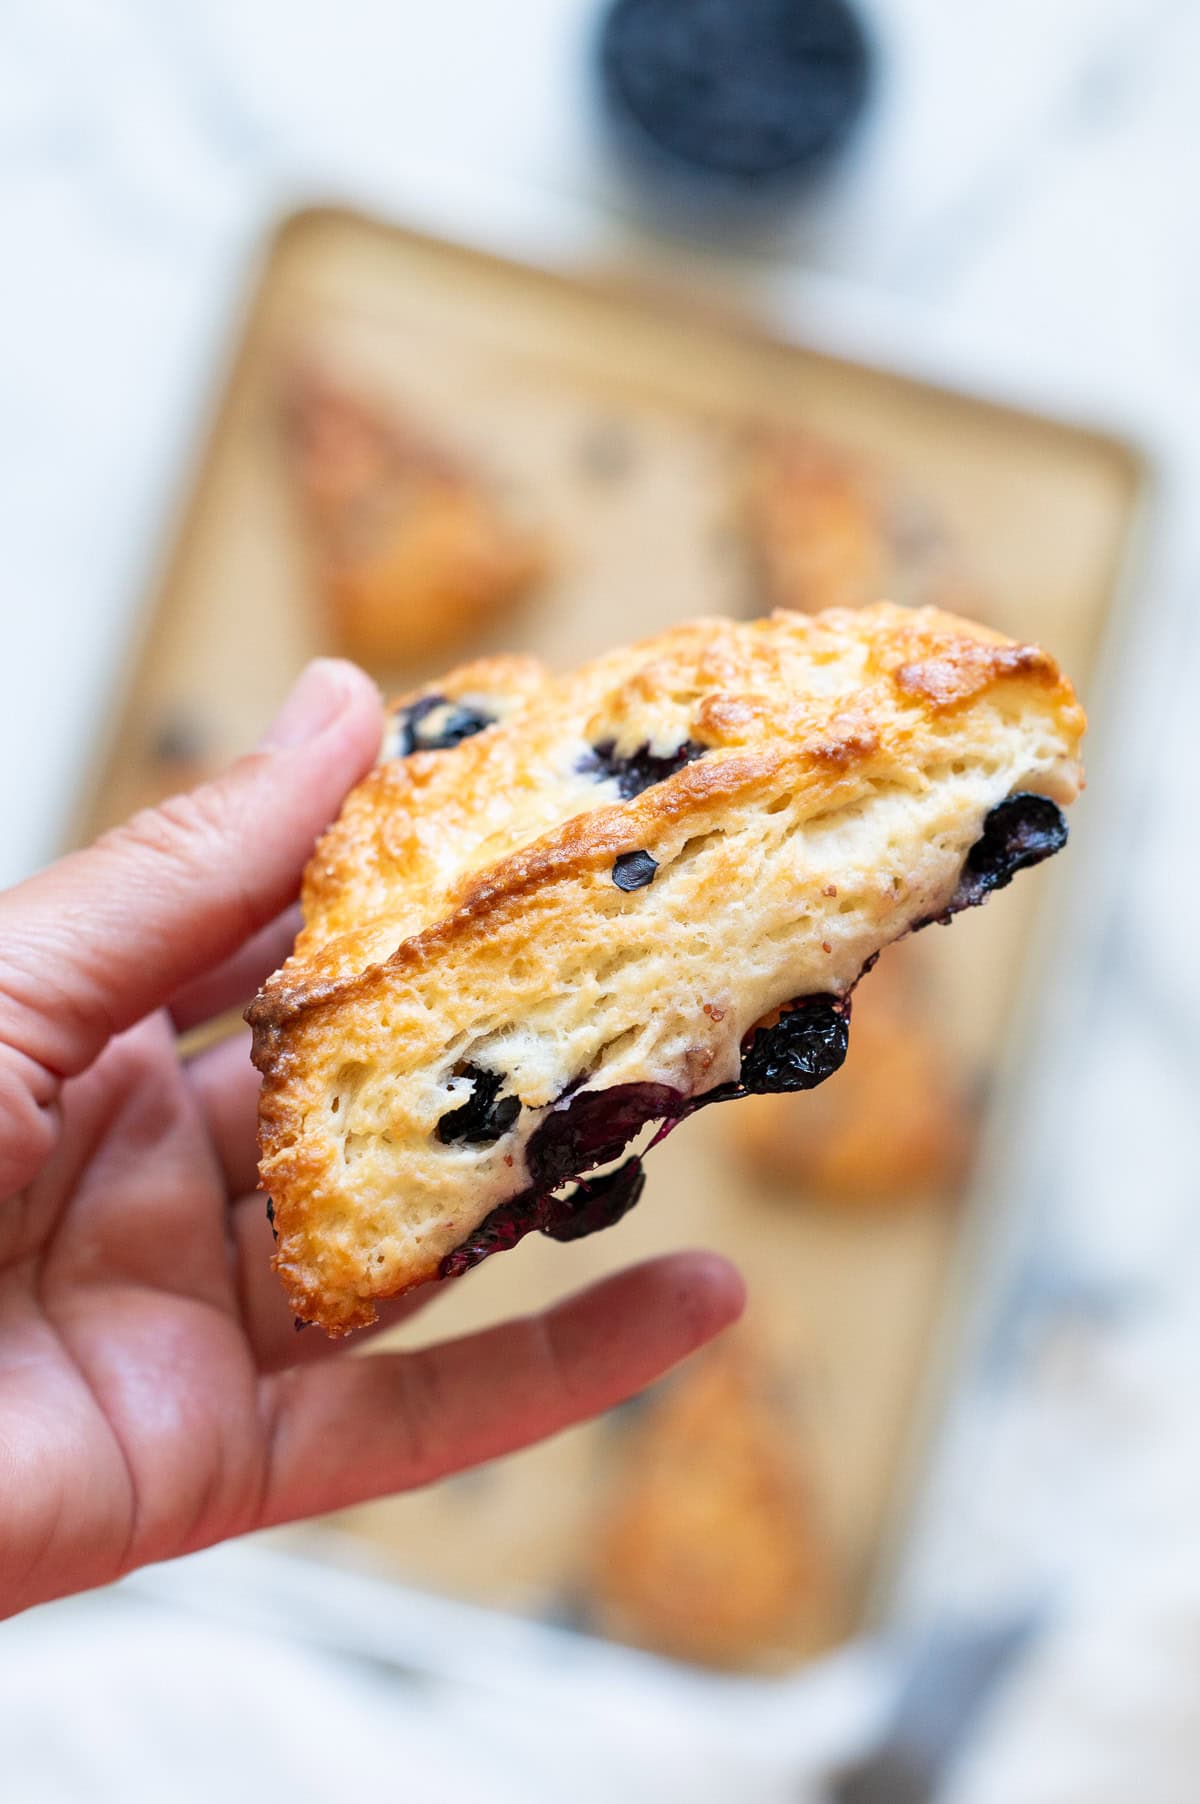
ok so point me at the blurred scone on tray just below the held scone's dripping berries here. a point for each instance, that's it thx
(894, 1127)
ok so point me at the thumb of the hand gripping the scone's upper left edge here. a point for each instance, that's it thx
(104, 937)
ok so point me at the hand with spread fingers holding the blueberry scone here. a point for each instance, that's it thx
(154, 1397)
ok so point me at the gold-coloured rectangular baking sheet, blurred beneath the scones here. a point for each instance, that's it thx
(524, 371)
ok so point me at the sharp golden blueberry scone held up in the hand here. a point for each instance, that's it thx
(566, 907)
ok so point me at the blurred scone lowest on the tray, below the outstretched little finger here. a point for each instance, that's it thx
(710, 1545)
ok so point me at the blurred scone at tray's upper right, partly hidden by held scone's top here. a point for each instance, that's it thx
(826, 529)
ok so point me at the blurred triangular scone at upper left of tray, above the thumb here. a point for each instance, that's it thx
(412, 548)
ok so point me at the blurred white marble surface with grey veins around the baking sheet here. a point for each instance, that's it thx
(1020, 217)
